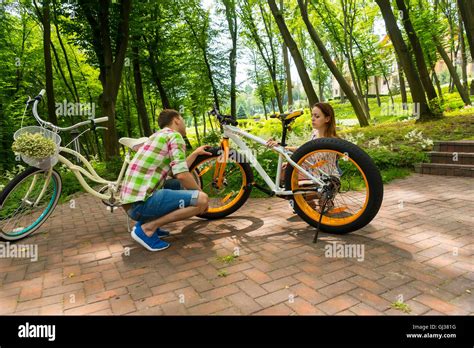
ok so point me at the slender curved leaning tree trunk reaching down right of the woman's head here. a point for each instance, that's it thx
(332, 66)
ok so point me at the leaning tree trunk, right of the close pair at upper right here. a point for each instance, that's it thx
(417, 51)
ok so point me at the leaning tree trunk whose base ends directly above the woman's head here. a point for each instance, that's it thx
(295, 53)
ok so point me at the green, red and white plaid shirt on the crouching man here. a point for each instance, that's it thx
(164, 151)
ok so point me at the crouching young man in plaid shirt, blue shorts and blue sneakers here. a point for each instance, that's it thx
(143, 195)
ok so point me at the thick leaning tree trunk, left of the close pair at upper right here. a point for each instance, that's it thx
(416, 87)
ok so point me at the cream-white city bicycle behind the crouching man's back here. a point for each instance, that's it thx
(28, 200)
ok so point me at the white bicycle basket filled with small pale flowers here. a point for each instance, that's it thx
(37, 146)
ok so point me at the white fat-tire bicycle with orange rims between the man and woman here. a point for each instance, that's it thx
(331, 183)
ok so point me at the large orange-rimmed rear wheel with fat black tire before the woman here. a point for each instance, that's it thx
(354, 193)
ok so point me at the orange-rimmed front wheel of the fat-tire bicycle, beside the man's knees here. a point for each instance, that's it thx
(235, 189)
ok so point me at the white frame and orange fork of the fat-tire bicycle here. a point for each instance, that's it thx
(234, 133)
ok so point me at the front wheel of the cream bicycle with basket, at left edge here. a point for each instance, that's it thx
(27, 201)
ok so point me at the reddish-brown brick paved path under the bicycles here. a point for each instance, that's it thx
(419, 249)
